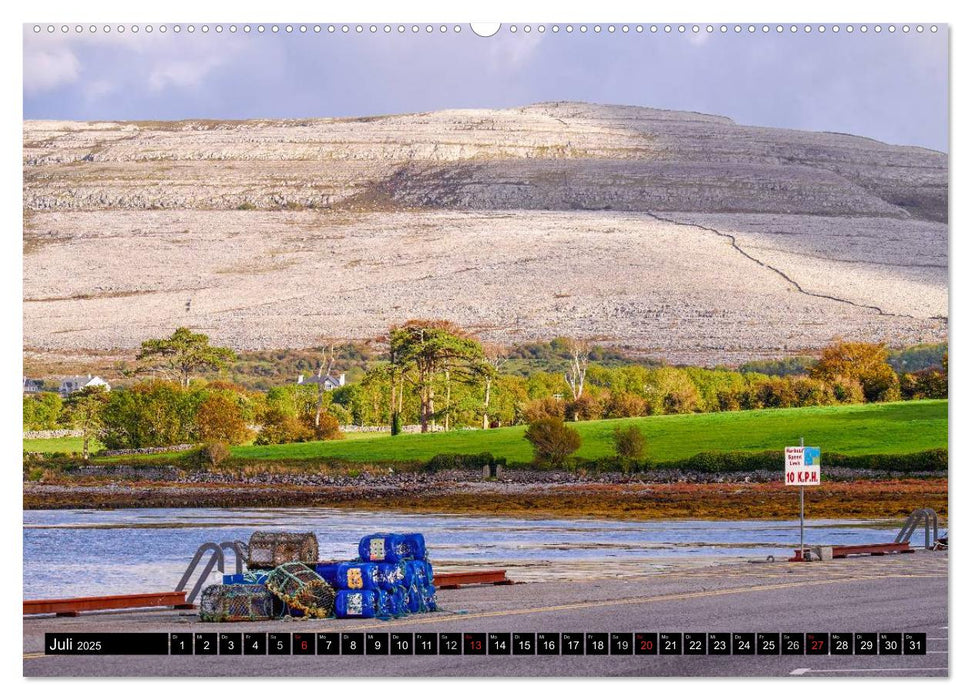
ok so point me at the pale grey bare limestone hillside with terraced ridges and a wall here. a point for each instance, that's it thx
(675, 234)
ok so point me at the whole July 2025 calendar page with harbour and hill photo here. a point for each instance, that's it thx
(387, 349)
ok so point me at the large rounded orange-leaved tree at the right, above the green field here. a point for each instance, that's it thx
(864, 362)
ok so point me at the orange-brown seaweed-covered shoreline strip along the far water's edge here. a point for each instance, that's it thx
(863, 499)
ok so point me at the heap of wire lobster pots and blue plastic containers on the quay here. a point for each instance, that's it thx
(391, 578)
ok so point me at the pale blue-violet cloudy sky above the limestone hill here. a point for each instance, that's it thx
(892, 87)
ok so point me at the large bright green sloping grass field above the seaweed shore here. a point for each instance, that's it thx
(892, 428)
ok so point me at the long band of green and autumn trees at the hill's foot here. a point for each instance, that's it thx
(438, 376)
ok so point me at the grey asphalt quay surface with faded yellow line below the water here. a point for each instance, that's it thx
(901, 593)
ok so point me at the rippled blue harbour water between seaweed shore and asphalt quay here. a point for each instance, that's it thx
(91, 552)
